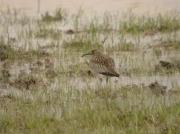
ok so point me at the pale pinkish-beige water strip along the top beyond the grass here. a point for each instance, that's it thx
(100, 6)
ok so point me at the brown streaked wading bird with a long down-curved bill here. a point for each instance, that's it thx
(101, 64)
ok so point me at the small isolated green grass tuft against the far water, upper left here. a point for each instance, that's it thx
(57, 16)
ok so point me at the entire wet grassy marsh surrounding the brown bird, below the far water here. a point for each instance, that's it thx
(50, 90)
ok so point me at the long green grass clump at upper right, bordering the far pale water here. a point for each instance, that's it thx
(142, 24)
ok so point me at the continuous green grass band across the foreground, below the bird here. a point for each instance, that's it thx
(88, 111)
